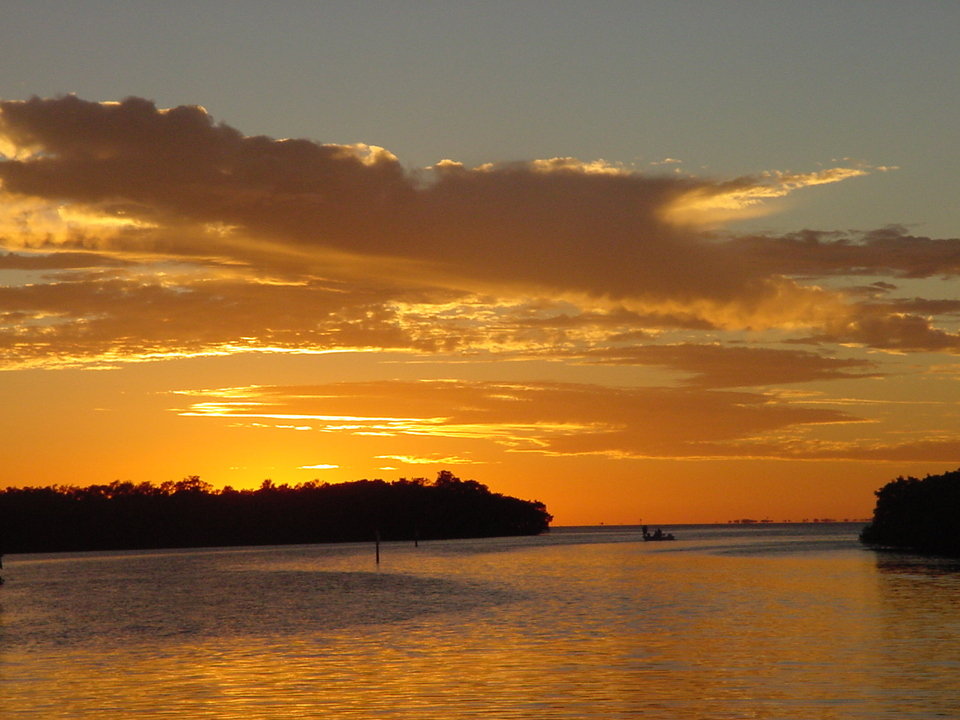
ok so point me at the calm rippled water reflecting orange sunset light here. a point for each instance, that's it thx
(790, 621)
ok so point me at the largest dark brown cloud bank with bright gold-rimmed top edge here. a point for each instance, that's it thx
(560, 225)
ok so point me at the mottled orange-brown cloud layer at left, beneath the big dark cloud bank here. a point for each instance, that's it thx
(114, 319)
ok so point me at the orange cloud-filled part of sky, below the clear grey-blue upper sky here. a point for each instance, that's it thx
(180, 298)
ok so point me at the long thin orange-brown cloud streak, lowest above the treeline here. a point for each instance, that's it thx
(564, 419)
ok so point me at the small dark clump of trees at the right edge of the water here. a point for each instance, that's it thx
(921, 515)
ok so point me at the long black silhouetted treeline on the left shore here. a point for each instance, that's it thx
(190, 513)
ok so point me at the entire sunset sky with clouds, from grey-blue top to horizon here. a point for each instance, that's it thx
(651, 262)
